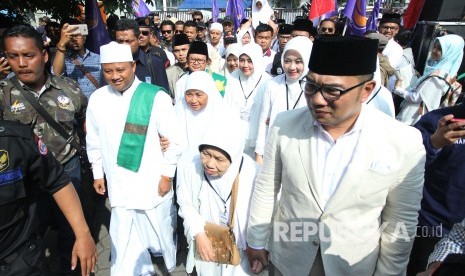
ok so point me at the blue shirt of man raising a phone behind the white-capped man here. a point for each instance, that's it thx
(91, 62)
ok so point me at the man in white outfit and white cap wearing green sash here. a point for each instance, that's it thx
(126, 119)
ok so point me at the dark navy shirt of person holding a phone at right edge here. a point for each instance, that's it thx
(443, 202)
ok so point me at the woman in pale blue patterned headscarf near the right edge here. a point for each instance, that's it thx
(440, 71)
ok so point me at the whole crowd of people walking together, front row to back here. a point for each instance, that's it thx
(321, 153)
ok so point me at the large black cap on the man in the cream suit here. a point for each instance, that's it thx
(343, 56)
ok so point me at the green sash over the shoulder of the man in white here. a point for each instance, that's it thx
(132, 142)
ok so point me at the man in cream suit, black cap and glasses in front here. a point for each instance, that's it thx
(350, 177)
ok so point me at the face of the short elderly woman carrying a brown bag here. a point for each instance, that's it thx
(214, 162)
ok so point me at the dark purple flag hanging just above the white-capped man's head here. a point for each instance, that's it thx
(98, 34)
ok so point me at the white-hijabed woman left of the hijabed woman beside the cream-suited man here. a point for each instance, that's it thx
(245, 92)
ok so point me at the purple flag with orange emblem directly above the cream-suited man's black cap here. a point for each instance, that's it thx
(356, 11)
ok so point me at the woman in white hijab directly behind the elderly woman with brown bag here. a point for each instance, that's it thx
(200, 103)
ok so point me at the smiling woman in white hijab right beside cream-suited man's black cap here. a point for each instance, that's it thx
(283, 92)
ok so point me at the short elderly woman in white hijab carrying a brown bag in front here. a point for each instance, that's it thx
(204, 188)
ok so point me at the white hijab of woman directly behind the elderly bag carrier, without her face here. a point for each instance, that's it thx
(194, 123)
